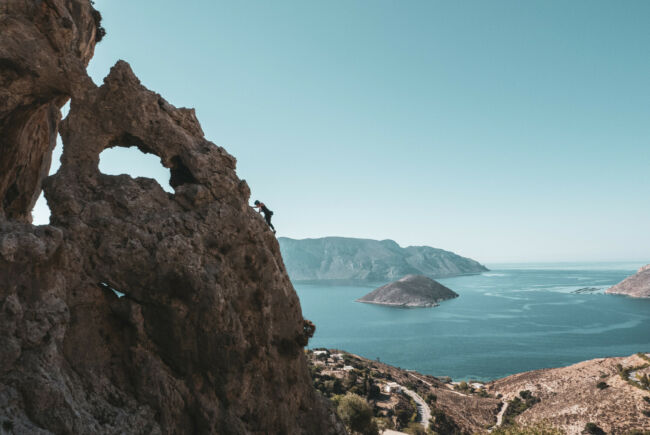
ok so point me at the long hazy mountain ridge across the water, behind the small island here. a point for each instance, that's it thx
(343, 258)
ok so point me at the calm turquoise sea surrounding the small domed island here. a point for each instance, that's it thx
(511, 319)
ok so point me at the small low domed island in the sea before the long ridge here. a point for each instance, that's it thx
(410, 291)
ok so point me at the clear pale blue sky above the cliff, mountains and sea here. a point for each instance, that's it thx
(501, 130)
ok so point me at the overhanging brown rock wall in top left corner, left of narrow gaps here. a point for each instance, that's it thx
(44, 49)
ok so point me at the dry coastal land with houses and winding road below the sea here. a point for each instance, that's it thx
(609, 394)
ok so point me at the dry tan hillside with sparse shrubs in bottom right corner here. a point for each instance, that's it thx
(592, 391)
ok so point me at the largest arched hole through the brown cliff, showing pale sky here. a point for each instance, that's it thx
(131, 161)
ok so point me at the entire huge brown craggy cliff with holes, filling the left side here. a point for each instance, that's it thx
(208, 336)
